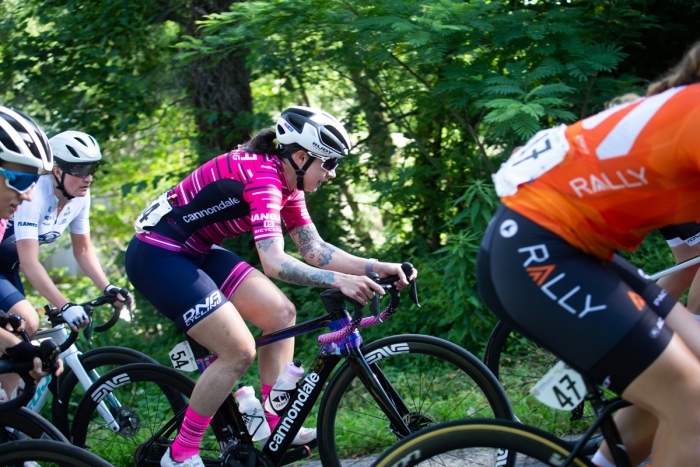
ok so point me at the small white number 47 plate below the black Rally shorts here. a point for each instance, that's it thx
(561, 388)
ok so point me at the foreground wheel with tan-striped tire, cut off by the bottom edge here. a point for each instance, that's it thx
(480, 443)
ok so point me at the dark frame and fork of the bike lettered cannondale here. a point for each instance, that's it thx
(310, 386)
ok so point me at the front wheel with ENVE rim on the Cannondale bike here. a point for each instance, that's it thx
(436, 379)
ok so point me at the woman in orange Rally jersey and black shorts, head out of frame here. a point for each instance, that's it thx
(571, 197)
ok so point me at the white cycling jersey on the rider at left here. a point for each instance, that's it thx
(37, 219)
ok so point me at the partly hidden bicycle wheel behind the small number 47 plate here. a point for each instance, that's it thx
(519, 364)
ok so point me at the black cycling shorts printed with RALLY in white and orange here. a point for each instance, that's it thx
(605, 319)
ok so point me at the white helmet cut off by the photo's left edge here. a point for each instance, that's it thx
(23, 141)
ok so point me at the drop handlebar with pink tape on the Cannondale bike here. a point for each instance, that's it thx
(387, 284)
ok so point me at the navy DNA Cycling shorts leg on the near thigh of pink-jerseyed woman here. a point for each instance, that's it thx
(173, 283)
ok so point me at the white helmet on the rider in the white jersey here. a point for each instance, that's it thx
(75, 153)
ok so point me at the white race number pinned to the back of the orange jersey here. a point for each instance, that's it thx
(540, 154)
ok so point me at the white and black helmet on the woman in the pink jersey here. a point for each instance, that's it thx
(317, 132)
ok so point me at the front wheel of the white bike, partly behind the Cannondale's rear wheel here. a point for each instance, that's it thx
(70, 392)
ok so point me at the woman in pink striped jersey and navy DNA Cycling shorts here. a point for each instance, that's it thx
(176, 262)
